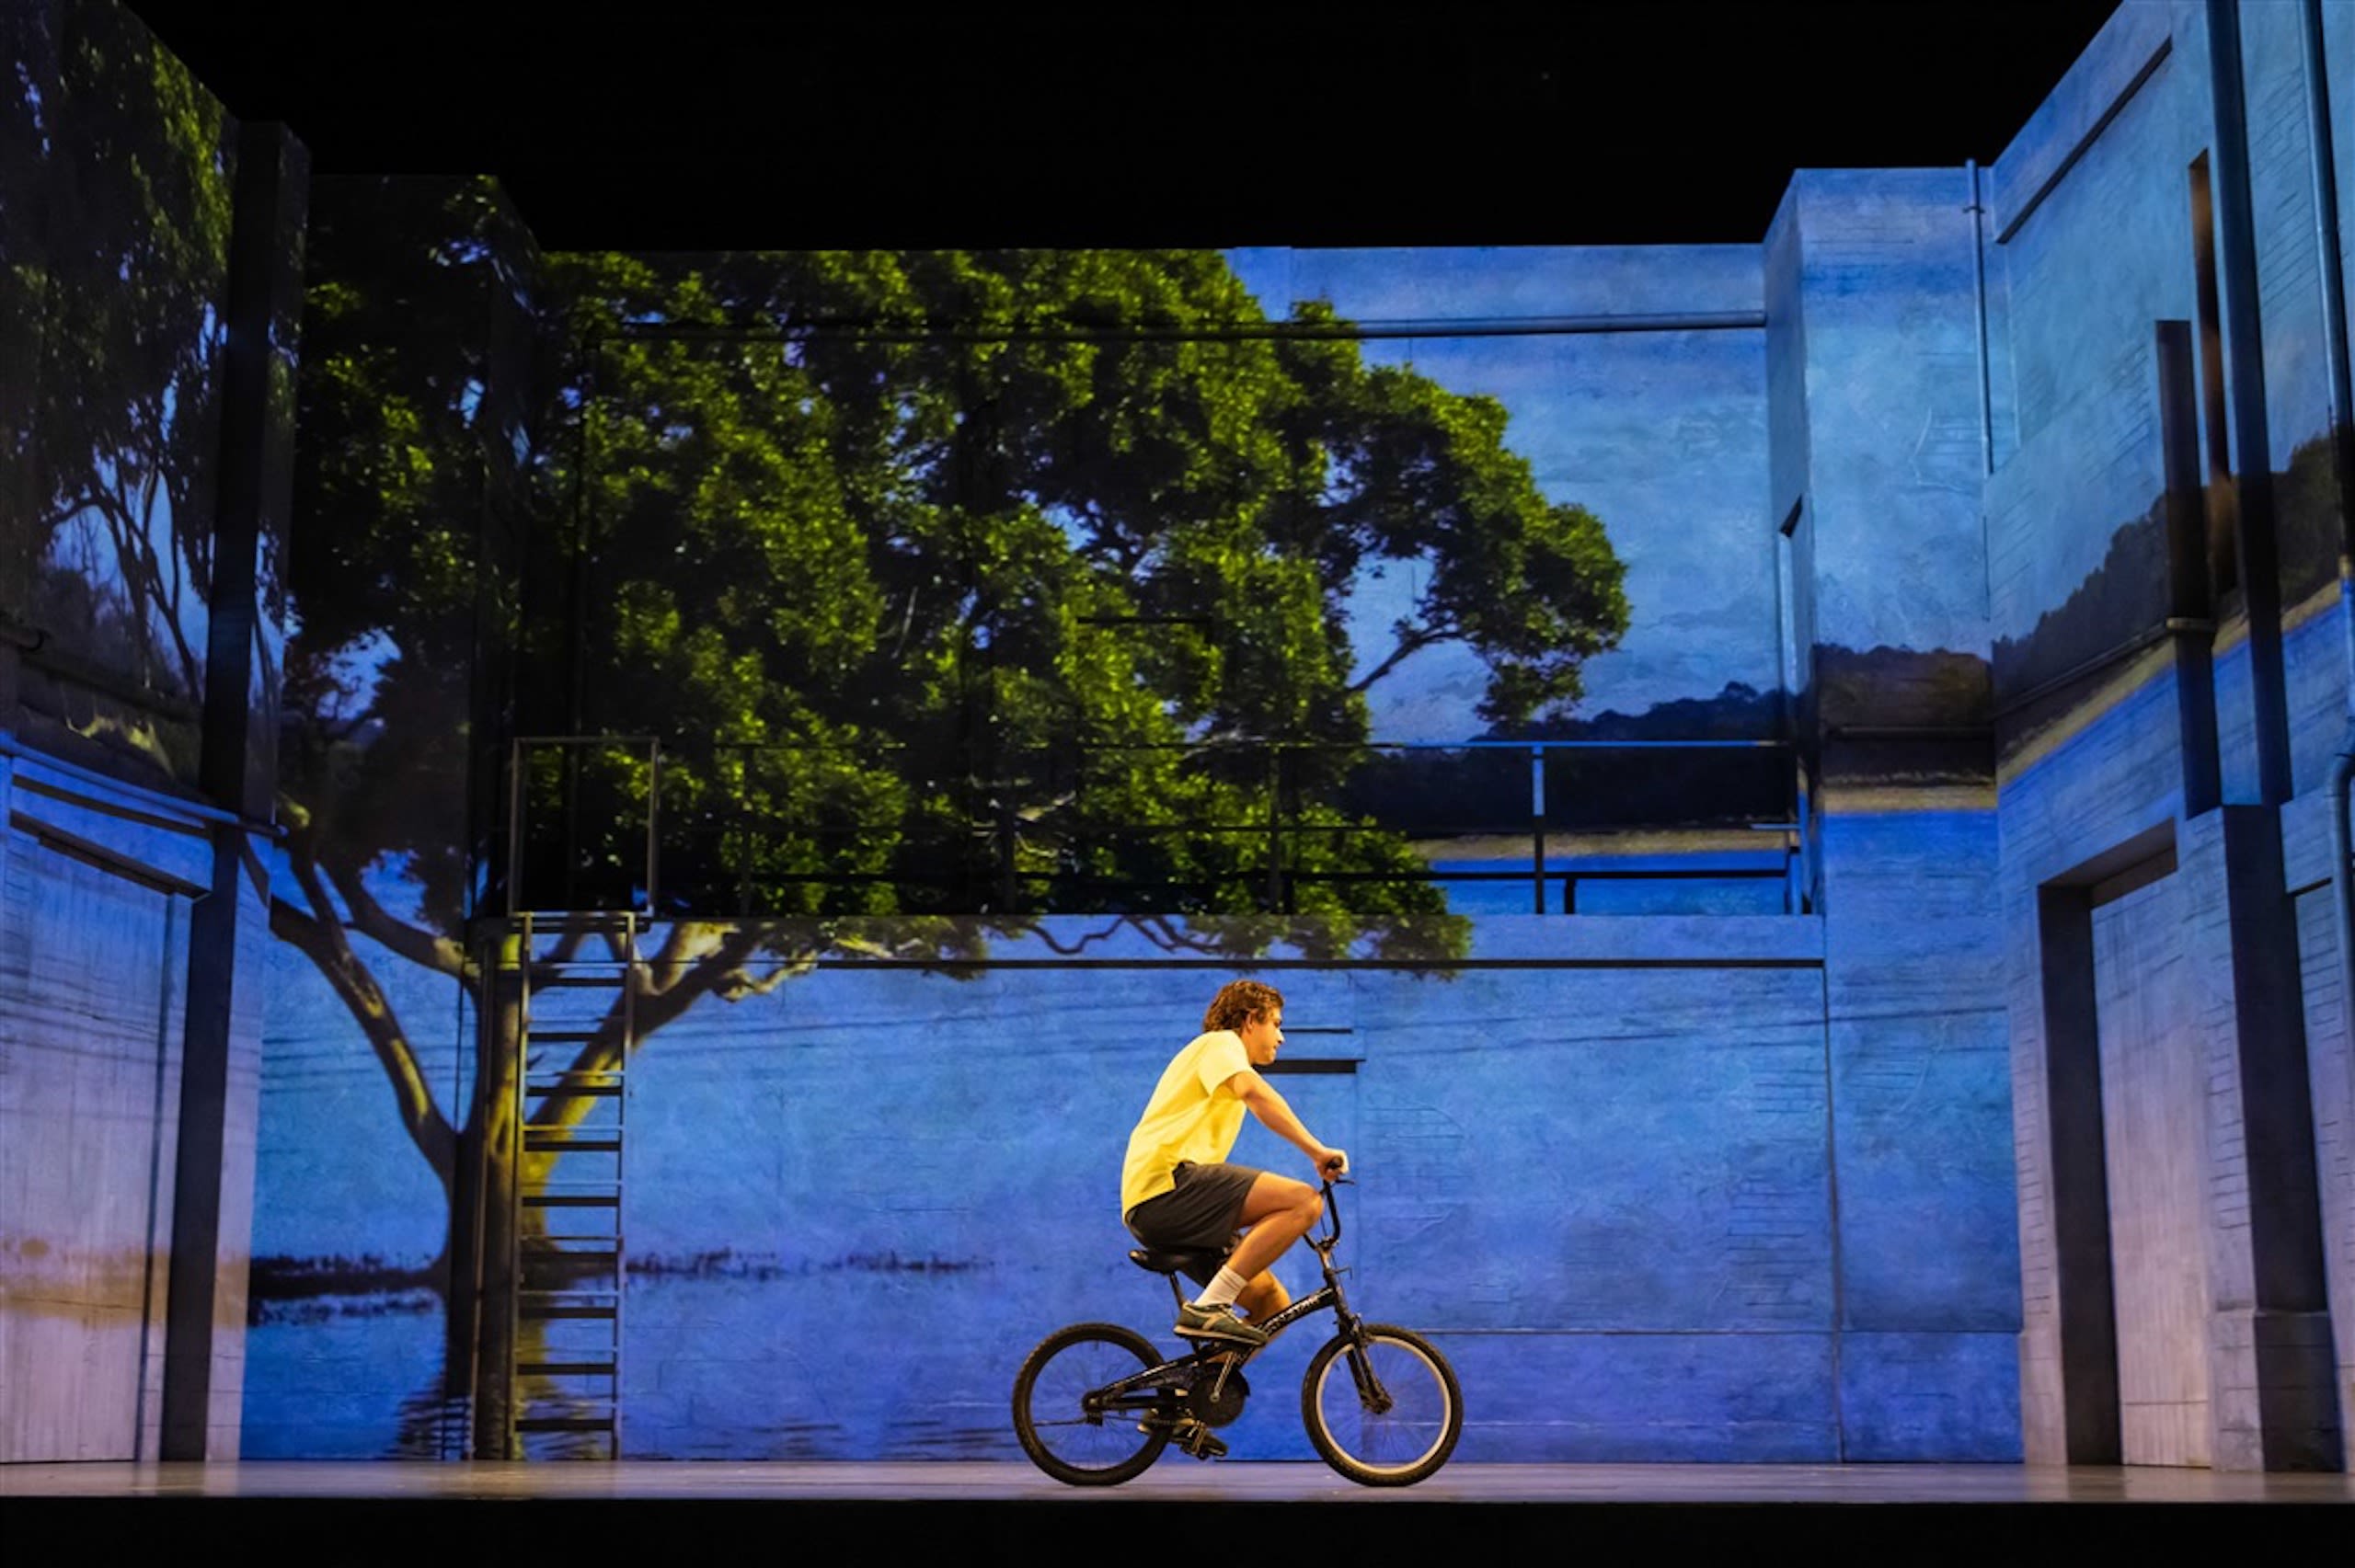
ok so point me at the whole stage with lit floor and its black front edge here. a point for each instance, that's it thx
(444, 1515)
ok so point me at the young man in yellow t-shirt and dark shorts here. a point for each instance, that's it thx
(1179, 1192)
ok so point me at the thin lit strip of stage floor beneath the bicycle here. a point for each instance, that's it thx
(1174, 1480)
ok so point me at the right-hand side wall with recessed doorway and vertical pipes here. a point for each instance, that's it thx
(2095, 239)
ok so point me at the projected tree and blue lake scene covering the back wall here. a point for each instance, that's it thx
(955, 665)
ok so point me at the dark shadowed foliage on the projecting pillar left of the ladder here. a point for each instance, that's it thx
(413, 465)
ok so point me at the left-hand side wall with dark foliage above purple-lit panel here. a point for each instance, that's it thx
(150, 255)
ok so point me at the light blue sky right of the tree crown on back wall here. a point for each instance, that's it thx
(1661, 434)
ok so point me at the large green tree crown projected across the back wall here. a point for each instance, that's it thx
(960, 590)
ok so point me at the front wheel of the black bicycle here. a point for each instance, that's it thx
(1384, 1409)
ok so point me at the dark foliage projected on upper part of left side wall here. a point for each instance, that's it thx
(114, 253)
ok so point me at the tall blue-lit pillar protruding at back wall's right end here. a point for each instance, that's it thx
(1878, 456)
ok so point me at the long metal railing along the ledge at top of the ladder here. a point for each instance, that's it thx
(1014, 842)
